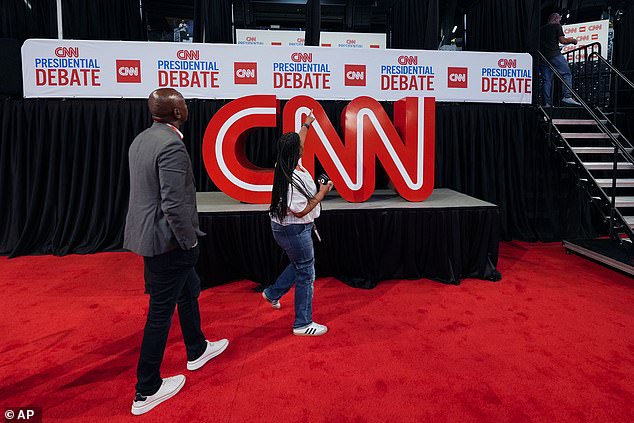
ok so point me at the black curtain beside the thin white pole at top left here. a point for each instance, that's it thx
(103, 20)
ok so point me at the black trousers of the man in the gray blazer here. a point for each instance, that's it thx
(171, 279)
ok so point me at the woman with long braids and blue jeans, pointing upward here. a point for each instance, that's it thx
(293, 209)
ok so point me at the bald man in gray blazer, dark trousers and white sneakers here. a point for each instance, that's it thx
(162, 226)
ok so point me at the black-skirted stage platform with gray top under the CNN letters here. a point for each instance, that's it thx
(448, 237)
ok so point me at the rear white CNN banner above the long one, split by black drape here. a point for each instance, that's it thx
(263, 37)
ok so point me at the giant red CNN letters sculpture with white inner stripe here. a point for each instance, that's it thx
(404, 148)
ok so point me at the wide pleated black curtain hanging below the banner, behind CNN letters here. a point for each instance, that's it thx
(64, 170)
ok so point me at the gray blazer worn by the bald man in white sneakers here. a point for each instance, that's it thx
(162, 213)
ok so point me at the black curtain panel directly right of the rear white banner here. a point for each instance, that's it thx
(414, 24)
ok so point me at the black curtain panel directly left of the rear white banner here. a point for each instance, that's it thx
(212, 21)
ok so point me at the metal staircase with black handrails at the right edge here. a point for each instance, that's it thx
(602, 159)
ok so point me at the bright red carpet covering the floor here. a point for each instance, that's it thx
(553, 341)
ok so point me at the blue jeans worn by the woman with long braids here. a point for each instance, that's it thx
(297, 242)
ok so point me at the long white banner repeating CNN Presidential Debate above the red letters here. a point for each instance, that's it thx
(107, 69)
